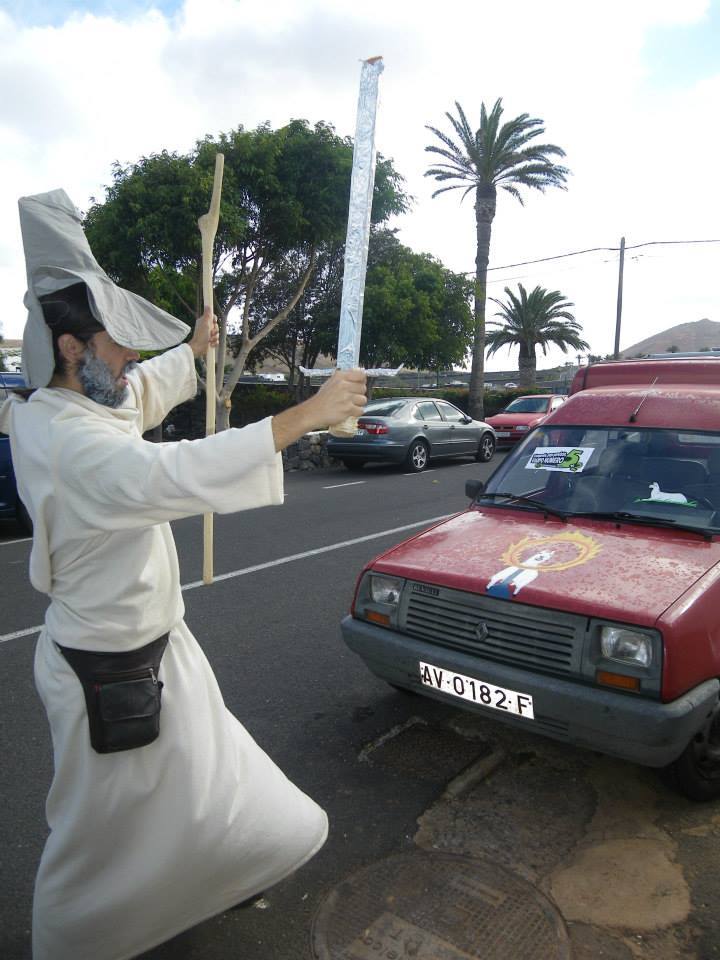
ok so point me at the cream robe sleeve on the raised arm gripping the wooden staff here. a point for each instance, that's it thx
(162, 383)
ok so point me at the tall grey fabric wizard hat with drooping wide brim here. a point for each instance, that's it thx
(57, 255)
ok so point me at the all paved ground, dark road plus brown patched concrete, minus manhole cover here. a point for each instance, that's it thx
(632, 867)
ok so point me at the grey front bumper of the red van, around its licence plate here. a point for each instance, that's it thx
(623, 725)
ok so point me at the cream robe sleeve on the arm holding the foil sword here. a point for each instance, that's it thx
(115, 481)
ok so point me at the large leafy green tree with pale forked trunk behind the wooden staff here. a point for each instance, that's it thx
(285, 192)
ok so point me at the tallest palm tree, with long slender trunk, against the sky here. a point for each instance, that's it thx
(491, 157)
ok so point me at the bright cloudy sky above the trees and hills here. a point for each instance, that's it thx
(629, 88)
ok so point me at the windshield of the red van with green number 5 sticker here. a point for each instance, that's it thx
(666, 475)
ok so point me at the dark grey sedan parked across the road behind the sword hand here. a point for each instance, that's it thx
(413, 430)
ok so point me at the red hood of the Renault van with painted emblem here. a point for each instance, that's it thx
(630, 573)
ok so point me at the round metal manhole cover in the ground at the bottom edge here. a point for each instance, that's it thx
(437, 906)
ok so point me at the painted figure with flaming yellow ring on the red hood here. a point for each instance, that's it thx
(531, 556)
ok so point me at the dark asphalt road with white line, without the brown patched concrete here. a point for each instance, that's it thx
(271, 631)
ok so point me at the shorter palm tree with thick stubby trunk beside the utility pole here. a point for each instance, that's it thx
(533, 320)
